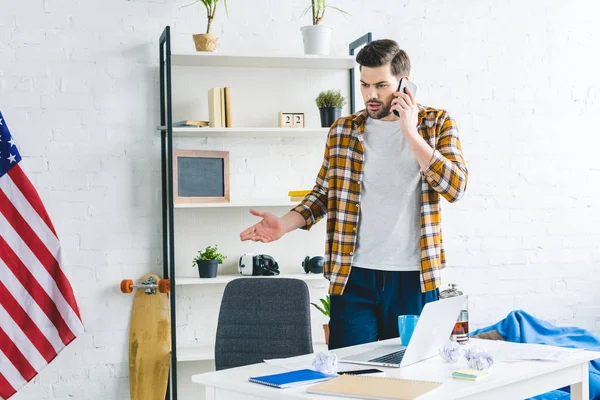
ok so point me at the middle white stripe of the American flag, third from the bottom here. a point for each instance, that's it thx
(37, 315)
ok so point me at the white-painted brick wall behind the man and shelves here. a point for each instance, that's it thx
(79, 90)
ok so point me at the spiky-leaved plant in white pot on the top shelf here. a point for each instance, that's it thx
(317, 37)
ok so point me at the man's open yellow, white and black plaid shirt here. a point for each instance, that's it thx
(337, 193)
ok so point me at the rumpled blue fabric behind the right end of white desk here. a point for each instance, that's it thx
(520, 327)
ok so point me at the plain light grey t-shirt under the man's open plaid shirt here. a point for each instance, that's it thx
(389, 222)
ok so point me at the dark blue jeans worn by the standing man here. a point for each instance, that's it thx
(372, 301)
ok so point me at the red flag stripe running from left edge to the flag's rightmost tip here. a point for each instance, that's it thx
(46, 258)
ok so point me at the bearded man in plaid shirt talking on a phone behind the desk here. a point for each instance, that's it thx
(380, 186)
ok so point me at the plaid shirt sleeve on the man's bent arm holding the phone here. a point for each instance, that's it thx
(447, 172)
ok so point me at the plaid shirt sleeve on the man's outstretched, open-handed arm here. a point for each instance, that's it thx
(314, 205)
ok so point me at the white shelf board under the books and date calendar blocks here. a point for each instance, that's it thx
(248, 132)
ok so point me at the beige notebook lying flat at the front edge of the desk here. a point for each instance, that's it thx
(373, 387)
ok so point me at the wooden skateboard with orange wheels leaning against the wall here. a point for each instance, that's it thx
(149, 337)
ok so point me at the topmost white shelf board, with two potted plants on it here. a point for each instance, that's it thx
(302, 61)
